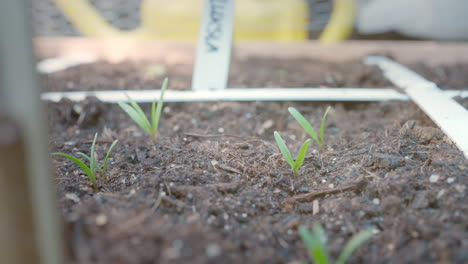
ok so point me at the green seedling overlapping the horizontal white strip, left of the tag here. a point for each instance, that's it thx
(136, 113)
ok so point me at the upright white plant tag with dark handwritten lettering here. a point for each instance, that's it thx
(214, 45)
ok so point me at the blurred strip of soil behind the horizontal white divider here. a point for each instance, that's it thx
(253, 72)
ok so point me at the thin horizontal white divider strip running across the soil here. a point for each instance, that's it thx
(245, 94)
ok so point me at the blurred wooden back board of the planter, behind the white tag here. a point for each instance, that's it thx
(114, 50)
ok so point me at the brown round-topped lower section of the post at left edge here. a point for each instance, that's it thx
(17, 241)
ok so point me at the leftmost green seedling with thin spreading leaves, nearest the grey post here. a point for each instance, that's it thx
(94, 166)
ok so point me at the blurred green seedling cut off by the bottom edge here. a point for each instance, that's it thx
(315, 243)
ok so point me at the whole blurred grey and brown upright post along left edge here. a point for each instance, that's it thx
(25, 176)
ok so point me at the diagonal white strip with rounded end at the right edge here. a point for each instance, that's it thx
(450, 116)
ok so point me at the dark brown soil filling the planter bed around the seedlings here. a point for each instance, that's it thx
(214, 188)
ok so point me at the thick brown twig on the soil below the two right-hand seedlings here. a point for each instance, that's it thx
(291, 202)
